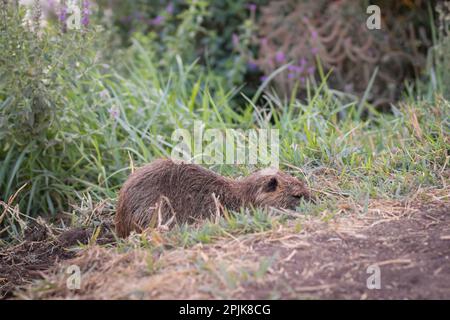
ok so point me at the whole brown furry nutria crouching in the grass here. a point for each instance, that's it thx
(168, 190)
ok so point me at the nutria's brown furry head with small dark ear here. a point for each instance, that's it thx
(274, 188)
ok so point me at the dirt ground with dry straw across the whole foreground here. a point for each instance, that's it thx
(408, 241)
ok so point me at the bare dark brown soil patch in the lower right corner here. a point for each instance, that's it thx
(412, 253)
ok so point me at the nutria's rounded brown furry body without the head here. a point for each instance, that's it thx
(173, 188)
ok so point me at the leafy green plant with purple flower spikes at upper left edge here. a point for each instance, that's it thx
(36, 65)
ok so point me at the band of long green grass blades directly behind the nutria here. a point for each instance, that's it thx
(374, 155)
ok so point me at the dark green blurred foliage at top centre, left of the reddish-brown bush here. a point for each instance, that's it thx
(216, 33)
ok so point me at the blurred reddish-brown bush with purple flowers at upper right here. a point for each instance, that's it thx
(335, 32)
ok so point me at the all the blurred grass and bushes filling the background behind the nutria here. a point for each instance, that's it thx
(77, 107)
